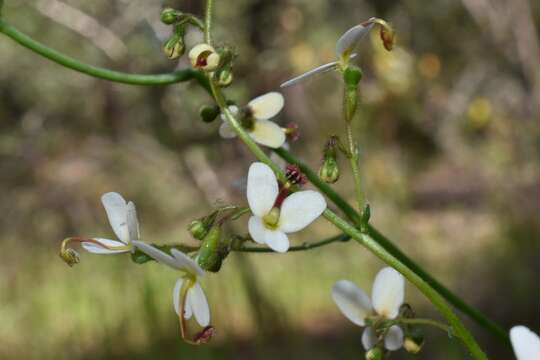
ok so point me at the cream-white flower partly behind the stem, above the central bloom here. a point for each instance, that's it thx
(258, 112)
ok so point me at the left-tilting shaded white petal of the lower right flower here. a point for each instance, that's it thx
(352, 301)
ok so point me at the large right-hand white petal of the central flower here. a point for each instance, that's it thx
(300, 209)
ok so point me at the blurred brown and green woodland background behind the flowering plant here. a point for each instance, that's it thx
(450, 135)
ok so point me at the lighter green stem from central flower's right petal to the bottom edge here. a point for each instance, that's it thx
(423, 286)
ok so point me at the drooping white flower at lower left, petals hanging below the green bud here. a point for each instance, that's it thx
(187, 289)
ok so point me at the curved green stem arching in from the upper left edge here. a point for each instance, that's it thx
(102, 73)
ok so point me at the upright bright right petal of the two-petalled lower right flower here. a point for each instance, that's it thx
(388, 292)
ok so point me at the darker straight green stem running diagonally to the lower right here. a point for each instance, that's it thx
(452, 298)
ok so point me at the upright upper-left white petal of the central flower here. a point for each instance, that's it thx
(262, 188)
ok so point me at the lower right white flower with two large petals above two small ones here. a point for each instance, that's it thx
(386, 298)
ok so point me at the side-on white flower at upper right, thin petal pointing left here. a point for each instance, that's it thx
(344, 48)
